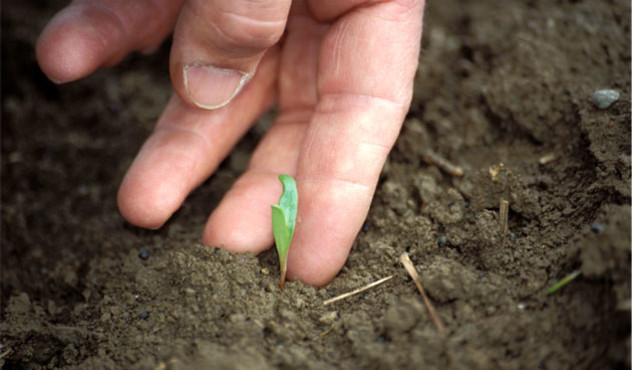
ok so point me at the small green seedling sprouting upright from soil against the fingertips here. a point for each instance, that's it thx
(283, 222)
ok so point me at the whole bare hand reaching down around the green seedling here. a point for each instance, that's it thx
(340, 72)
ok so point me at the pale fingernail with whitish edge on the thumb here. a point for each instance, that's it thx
(211, 87)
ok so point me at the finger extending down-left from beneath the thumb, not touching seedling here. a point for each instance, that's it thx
(186, 147)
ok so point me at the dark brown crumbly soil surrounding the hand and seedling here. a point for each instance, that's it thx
(501, 85)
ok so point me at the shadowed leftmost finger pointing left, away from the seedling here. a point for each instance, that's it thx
(88, 34)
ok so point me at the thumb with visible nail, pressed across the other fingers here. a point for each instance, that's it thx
(218, 44)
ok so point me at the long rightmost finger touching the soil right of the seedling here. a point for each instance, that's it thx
(366, 68)
